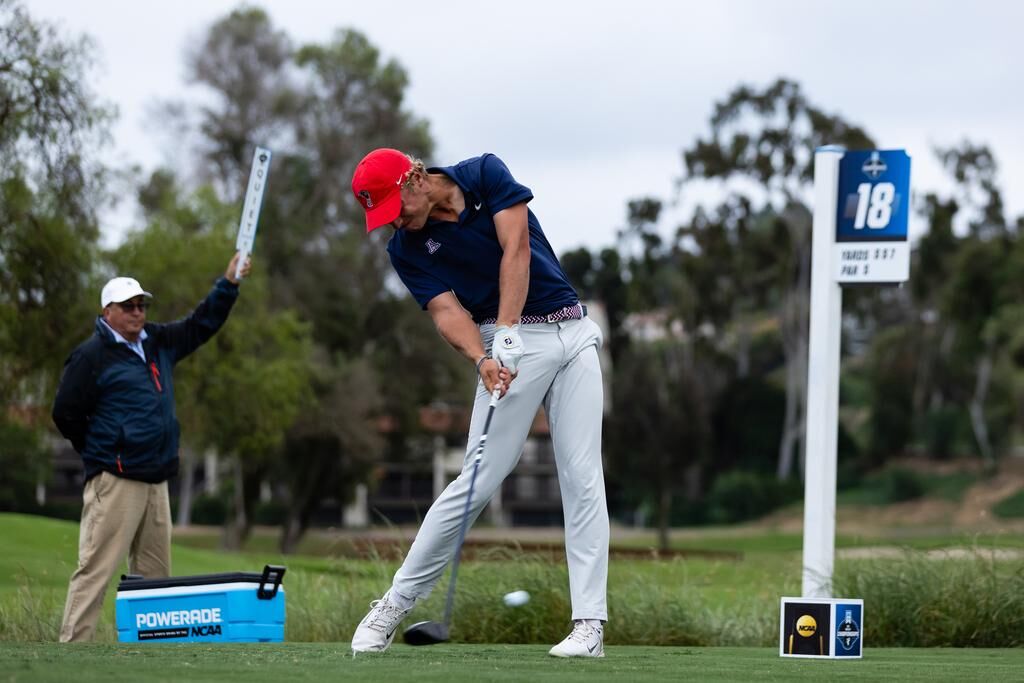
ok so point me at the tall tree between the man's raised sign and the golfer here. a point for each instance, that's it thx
(322, 108)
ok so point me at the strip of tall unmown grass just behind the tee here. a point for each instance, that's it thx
(920, 600)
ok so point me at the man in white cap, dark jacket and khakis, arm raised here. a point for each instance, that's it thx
(116, 406)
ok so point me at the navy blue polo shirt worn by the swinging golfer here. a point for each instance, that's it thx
(465, 257)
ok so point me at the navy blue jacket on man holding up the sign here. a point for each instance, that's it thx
(117, 410)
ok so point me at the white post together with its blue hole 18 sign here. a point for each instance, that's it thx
(862, 204)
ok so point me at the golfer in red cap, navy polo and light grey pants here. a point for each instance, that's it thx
(474, 255)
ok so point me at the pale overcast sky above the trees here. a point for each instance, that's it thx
(590, 104)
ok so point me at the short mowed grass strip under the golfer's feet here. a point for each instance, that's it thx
(451, 664)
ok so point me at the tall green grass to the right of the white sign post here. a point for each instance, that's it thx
(940, 600)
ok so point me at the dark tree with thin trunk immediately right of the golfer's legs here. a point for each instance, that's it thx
(671, 385)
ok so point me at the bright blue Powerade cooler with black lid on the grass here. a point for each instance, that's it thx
(235, 608)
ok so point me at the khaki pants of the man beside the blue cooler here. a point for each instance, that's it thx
(120, 518)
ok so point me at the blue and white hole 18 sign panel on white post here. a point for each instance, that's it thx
(872, 218)
